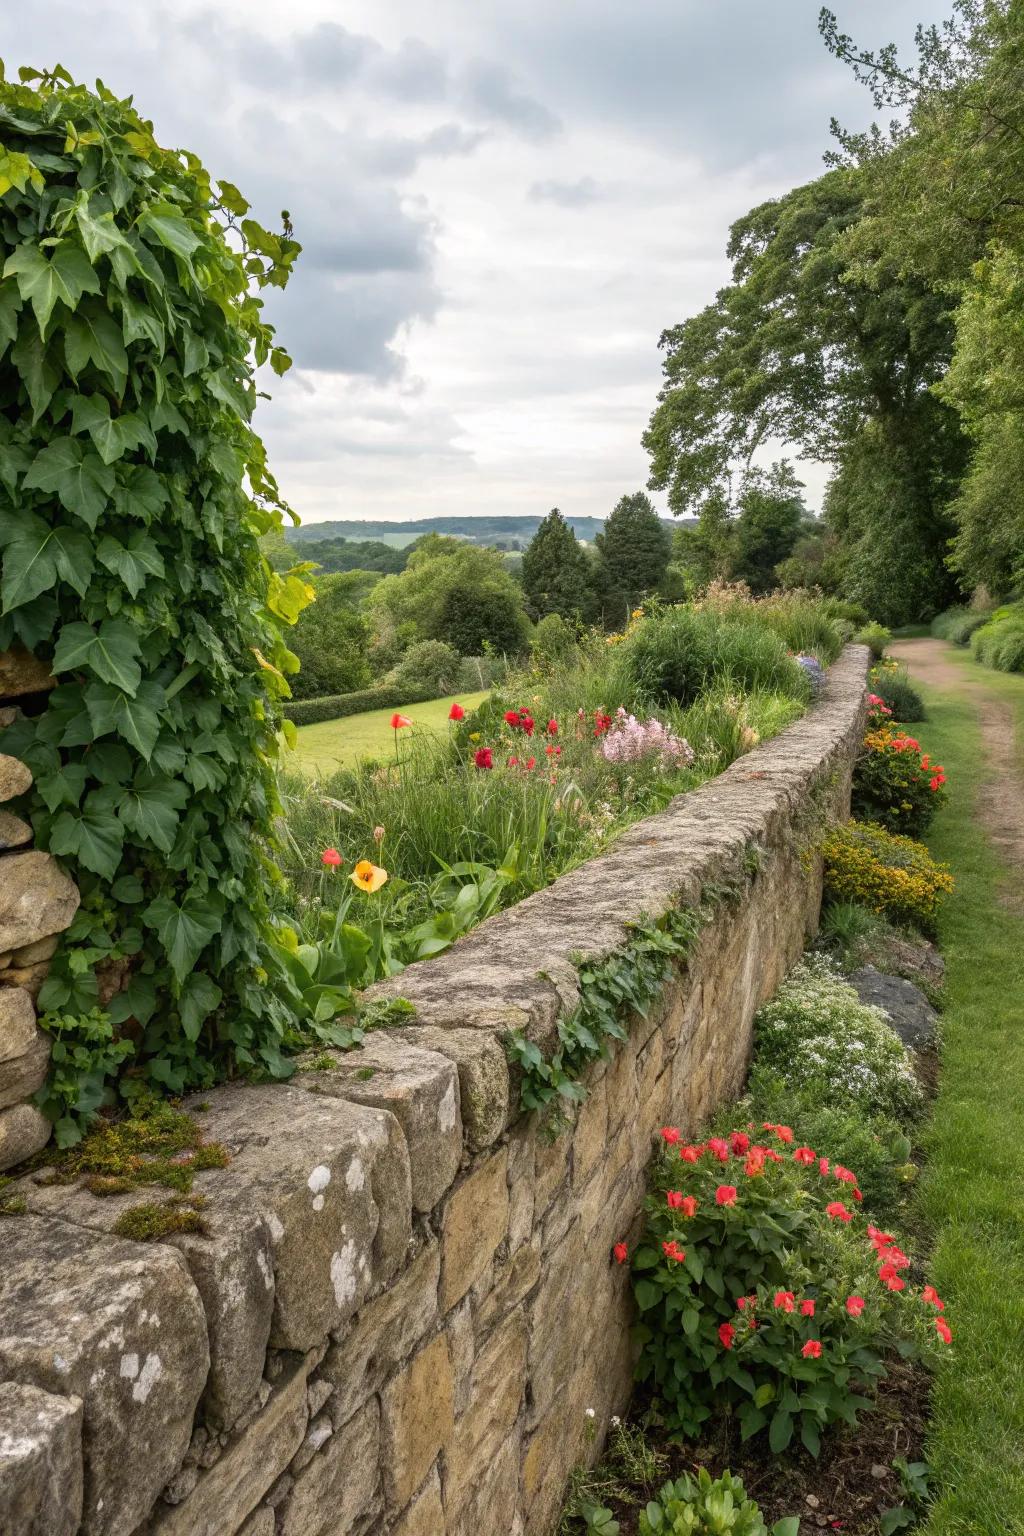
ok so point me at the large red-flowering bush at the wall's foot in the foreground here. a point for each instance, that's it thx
(764, 1293)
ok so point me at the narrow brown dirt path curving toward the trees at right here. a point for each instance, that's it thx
(1002, 799)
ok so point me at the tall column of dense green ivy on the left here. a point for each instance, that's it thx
(133, 497)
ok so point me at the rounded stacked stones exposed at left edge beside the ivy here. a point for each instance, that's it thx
(38, 902)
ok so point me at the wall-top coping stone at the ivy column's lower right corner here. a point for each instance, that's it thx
(421, 1090)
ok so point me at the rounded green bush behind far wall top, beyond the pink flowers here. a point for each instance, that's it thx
(676, 655)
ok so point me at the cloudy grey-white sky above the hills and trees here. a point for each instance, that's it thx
(503, 205)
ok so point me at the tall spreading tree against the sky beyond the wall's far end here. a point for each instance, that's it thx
(804, 348)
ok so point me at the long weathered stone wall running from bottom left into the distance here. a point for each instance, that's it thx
(406, 1302)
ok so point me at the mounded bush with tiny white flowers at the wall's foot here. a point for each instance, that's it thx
(816, 1034)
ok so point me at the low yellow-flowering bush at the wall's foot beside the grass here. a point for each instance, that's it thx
(890, 875)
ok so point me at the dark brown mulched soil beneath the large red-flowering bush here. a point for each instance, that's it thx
(847, 1489)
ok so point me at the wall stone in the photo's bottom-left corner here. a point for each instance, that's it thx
(41, 1463)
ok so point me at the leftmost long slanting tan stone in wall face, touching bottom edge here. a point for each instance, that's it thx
(253, 1463)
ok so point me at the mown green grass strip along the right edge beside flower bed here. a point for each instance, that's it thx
(973, 1194)
